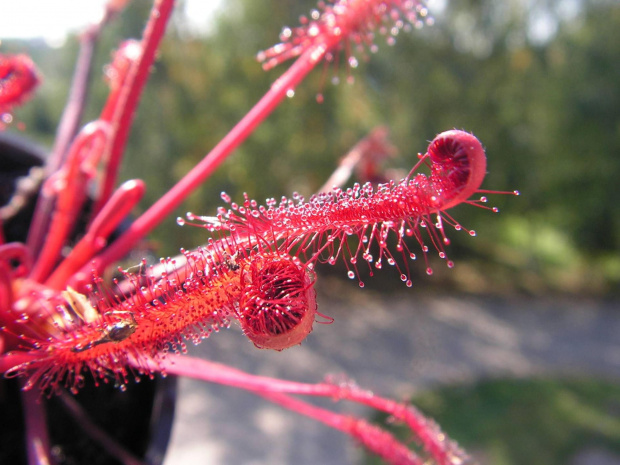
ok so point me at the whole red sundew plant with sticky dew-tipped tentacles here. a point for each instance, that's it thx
(65, 328)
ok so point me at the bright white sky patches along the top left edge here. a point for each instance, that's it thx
(53, 19)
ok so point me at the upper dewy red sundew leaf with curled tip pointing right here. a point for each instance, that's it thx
(320, 229)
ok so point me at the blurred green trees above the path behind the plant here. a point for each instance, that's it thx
(538, 83)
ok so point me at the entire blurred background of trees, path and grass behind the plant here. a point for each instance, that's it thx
(538, 81)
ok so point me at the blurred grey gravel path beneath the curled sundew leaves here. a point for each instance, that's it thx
(394, 346)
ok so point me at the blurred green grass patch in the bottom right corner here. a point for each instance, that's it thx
(528, 421)
